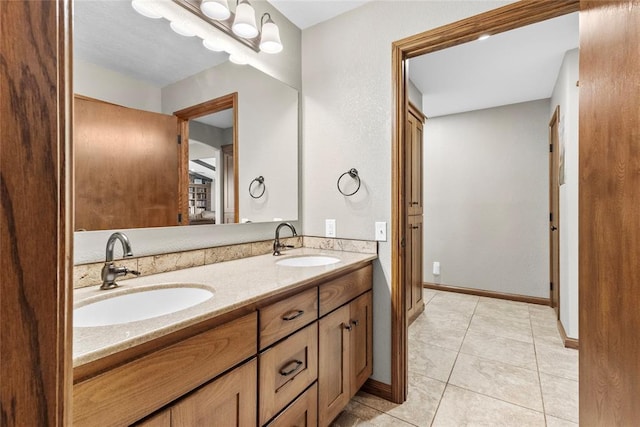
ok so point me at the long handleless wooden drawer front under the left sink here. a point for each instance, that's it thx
(131, 391)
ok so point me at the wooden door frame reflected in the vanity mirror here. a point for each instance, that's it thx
(199, 110)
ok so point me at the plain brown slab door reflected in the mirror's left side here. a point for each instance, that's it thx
(126, 167)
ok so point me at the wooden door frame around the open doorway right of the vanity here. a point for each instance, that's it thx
(515, 15)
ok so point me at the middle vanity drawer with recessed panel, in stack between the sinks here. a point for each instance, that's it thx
(286, 369)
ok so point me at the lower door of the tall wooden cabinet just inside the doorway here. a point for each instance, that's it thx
(413, 273)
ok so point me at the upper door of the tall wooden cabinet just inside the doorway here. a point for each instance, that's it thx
(413, 172)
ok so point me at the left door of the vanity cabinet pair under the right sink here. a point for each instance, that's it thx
(333, 365)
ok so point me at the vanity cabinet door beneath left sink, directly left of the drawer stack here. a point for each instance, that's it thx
(228, 401)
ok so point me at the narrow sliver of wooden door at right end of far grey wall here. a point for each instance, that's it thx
(554, 211)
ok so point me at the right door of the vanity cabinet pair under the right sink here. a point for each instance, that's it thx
(361, 341)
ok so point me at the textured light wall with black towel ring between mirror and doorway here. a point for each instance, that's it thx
(346, 81)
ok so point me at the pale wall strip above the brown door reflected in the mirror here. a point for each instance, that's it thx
(97, 82)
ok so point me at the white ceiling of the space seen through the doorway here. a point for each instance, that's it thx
(515, 66)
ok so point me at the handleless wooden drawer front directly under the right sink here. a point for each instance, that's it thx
(340, 291)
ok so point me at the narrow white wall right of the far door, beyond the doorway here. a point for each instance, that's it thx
(565, 94)
